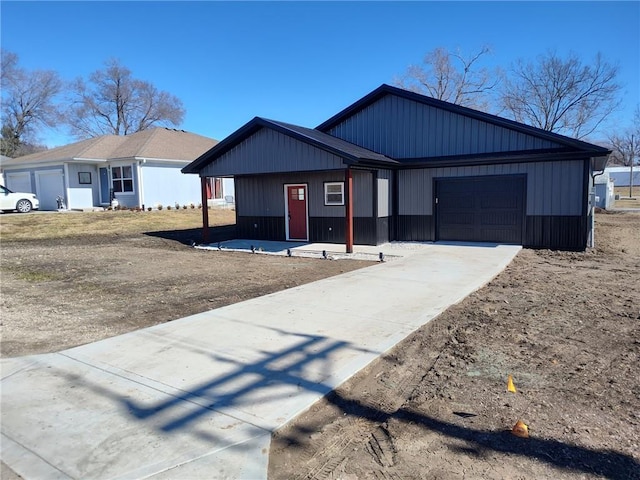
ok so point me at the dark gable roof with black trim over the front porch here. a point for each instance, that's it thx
(351, 153)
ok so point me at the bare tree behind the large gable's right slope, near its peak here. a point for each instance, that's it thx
(452, 77)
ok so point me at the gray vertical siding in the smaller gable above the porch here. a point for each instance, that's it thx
(269, 151)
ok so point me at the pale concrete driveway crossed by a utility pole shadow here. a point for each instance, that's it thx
(199, 397)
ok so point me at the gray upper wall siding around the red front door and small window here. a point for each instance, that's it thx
(264, 195)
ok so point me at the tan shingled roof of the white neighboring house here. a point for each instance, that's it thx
(156, 143)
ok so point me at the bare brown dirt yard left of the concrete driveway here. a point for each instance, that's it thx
(63, 292)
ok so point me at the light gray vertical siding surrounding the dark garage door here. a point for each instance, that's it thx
(553, 188)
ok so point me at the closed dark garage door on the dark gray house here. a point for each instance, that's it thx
(480, 209)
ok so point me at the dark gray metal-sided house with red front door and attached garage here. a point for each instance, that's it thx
(397, 165)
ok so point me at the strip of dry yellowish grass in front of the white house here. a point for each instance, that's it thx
(53, 225)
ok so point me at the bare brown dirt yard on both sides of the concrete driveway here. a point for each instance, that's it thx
(566, 326)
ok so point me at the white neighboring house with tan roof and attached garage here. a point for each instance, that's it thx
(142, 169)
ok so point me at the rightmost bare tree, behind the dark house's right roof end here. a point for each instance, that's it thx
(562, 94)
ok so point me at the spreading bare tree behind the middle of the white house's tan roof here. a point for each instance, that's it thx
(113, 102)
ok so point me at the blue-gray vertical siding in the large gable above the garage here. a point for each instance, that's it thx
(402, 128)
